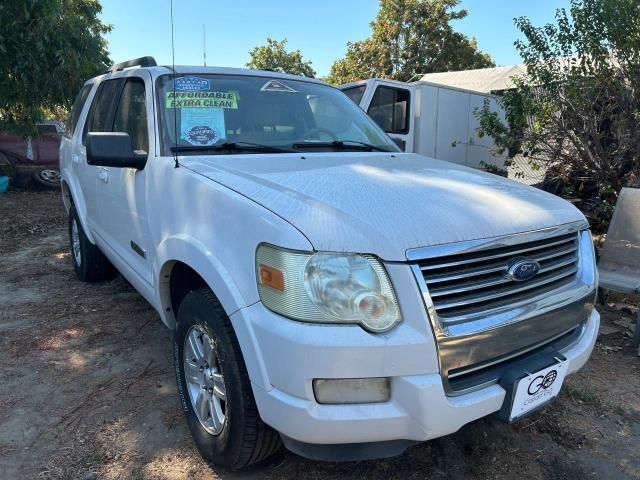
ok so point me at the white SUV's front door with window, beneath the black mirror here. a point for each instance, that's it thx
(121, 192)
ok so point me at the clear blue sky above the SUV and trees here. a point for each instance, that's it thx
(320, 29)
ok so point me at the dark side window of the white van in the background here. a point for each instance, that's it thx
(389, 108)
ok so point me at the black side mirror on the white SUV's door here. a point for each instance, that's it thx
(113, 149)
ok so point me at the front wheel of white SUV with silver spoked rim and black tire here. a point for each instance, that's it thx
(241, 438)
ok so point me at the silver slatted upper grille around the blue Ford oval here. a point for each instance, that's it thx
(465, 286)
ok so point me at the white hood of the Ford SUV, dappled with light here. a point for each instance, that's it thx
(384, 204)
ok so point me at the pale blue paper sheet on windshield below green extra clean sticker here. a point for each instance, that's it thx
(202, 126)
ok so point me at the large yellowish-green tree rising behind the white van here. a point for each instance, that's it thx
(410, 37)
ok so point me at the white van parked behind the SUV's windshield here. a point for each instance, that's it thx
(433, 120)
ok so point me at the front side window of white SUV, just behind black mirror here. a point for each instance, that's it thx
(131, 114)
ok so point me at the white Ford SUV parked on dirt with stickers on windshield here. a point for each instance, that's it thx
(325, 289)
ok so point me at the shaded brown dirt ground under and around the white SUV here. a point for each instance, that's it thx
(87, 389)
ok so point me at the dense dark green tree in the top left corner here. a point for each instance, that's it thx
(48, 48)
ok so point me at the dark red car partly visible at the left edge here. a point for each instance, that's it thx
(35, 156)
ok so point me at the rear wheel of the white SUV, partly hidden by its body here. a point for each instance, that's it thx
(89, 262)
